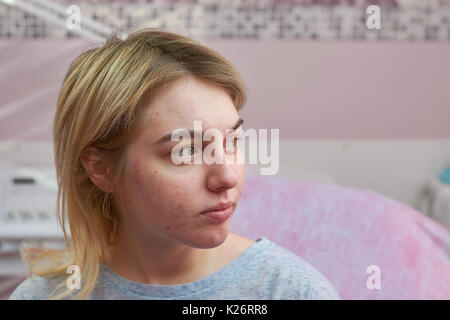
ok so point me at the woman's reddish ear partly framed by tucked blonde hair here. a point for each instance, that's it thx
(97, 168)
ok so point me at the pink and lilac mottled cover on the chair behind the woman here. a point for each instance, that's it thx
(342, 231)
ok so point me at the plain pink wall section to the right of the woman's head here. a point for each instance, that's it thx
(346, 90)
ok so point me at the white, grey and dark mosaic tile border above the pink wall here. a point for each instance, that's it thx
(307, 19)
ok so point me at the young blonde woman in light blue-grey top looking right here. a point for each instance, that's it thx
(140, 224)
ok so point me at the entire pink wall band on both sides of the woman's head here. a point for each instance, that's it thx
(310, 90)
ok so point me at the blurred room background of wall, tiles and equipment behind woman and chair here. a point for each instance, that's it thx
(356, 106)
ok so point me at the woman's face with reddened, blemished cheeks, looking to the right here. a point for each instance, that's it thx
(166, 199)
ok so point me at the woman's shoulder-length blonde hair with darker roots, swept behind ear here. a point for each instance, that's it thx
(100, 103)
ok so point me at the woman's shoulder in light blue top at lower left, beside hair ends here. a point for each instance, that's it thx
(36, 288)
